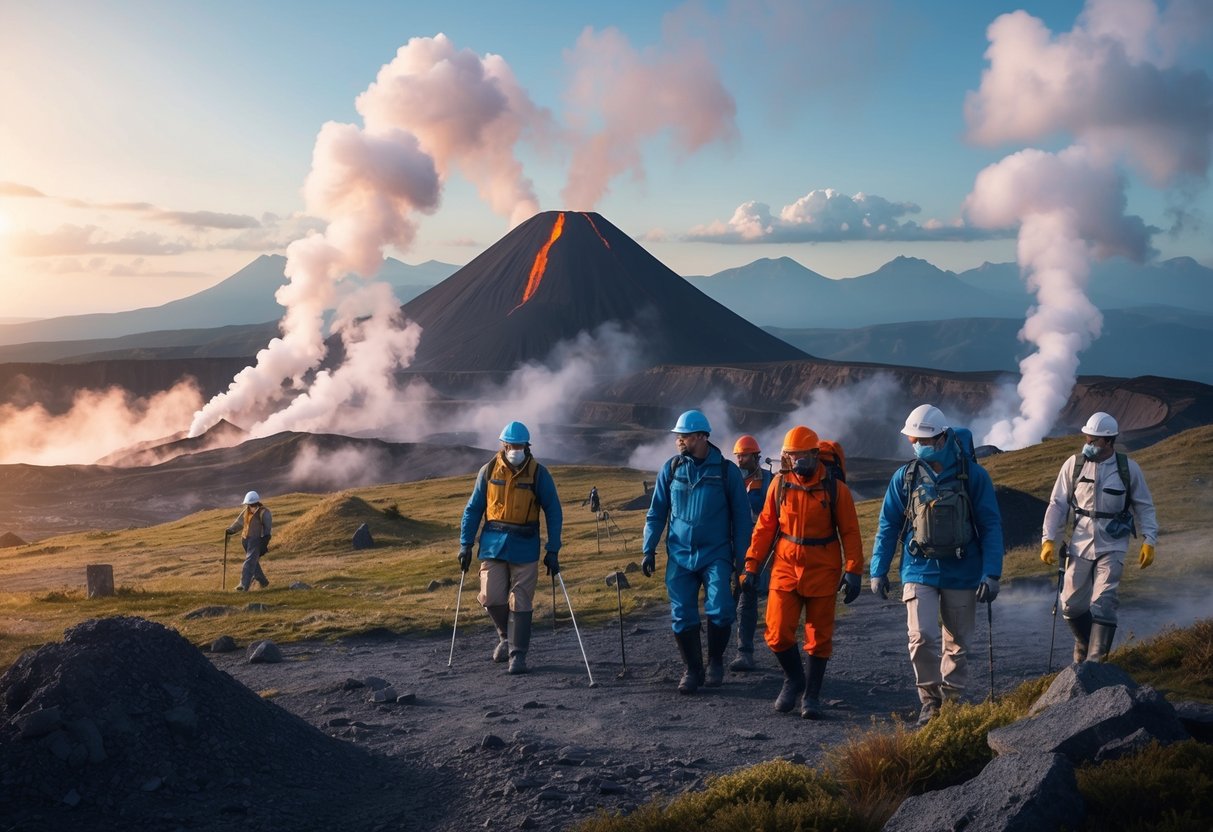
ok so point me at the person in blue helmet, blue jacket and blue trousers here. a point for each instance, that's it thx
(702, 498)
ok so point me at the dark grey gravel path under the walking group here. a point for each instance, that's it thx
(565, 750)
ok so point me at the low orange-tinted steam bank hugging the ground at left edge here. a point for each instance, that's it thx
(98, 424)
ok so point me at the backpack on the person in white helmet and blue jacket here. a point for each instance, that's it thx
(942, 515)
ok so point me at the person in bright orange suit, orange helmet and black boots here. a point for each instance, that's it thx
(810, 532)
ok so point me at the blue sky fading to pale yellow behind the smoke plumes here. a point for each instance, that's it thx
(150, 150)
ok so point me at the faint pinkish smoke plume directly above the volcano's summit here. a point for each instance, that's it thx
(620, 99)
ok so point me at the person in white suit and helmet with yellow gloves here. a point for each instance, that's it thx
(1111, 502)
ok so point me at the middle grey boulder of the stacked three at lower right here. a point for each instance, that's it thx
(1094, 727)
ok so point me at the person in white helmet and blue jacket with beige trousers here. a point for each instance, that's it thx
(941, 509)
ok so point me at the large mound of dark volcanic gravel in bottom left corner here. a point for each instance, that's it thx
(127, 723)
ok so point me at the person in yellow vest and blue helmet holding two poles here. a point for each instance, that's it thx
(509, 495)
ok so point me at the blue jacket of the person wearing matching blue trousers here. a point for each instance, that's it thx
(709, 520)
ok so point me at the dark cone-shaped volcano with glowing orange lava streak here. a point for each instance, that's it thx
(562, 273)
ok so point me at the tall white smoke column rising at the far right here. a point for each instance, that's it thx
(1115, 87)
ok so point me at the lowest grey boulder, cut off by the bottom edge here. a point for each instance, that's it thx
(1013, 794)
